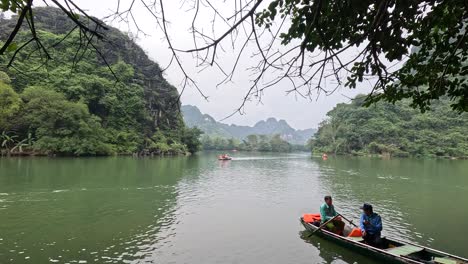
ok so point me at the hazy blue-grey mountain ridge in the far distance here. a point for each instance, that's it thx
(271, 126)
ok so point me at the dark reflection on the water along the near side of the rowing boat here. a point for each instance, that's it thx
(333, 253)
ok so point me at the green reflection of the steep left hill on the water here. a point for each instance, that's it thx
(110, 209)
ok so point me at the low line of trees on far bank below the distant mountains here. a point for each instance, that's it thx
(262, 143)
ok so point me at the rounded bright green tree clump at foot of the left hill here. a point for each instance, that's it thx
(61, 126)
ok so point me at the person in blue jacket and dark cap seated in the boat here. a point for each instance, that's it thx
(371, 226)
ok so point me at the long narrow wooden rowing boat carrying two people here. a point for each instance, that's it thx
(395, 251)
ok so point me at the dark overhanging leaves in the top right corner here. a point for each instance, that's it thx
(386, 31)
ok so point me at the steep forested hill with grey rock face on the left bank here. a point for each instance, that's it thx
(73, 104)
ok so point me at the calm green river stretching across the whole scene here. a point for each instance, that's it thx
(200, 210)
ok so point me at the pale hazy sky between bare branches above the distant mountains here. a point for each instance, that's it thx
(223, 100)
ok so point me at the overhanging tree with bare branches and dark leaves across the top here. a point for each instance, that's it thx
(307, 41)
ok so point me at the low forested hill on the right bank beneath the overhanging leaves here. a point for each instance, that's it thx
(393, 129)
